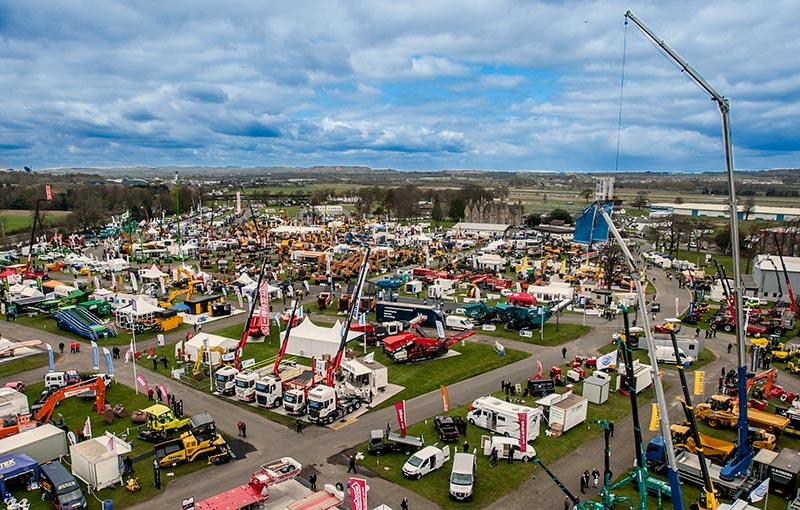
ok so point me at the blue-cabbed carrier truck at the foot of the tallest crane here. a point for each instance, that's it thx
(689, 470)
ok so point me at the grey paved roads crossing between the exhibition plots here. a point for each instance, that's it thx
(320, 448)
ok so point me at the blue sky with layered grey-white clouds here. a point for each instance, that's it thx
(402, 84)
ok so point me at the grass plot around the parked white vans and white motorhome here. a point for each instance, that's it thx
(494, 482)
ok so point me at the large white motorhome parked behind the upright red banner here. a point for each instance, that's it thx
(502, 417)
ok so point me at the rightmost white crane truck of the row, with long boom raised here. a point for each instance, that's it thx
(326, 402)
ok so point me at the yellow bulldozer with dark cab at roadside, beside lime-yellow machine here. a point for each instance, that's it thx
(201, 441)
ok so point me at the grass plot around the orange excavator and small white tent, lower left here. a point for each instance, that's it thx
(75, 411)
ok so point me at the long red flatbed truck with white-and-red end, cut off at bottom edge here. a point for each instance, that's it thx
(254, 493)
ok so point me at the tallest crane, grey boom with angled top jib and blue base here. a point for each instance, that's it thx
(742, 459)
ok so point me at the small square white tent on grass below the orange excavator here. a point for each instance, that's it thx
(96, 460)
